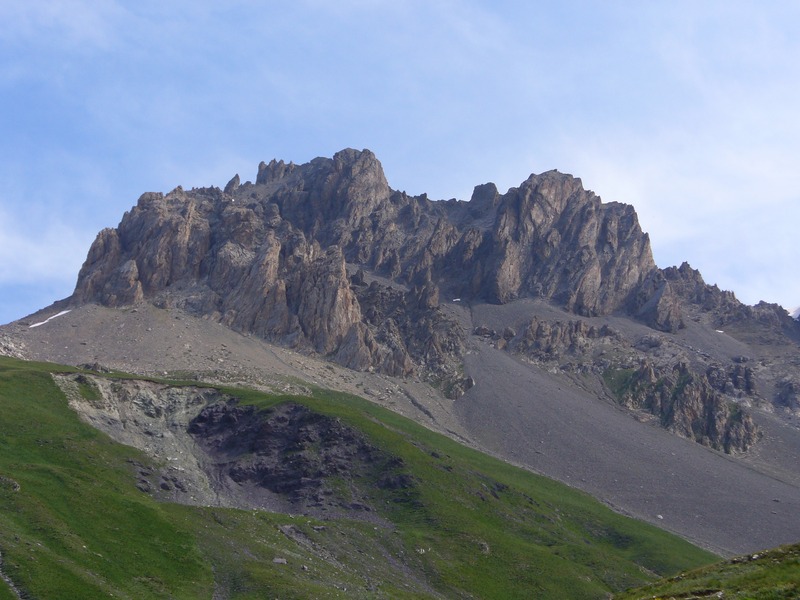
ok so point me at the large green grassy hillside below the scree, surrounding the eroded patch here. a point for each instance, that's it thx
(420, 516)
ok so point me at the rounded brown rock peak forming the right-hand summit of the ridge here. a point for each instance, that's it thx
(553, 239)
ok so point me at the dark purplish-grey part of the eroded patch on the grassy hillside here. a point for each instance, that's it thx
(293, 459)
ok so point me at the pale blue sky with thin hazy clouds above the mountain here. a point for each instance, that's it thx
(688, 110)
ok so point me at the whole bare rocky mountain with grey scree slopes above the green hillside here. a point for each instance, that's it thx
(533, 324)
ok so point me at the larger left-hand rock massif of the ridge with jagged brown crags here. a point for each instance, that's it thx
(270, 259)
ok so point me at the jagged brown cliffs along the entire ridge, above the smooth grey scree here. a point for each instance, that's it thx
(325, 257)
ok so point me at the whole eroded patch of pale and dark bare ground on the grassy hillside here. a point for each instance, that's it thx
(213, 451)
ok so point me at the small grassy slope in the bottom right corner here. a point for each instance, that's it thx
(769, 575)
